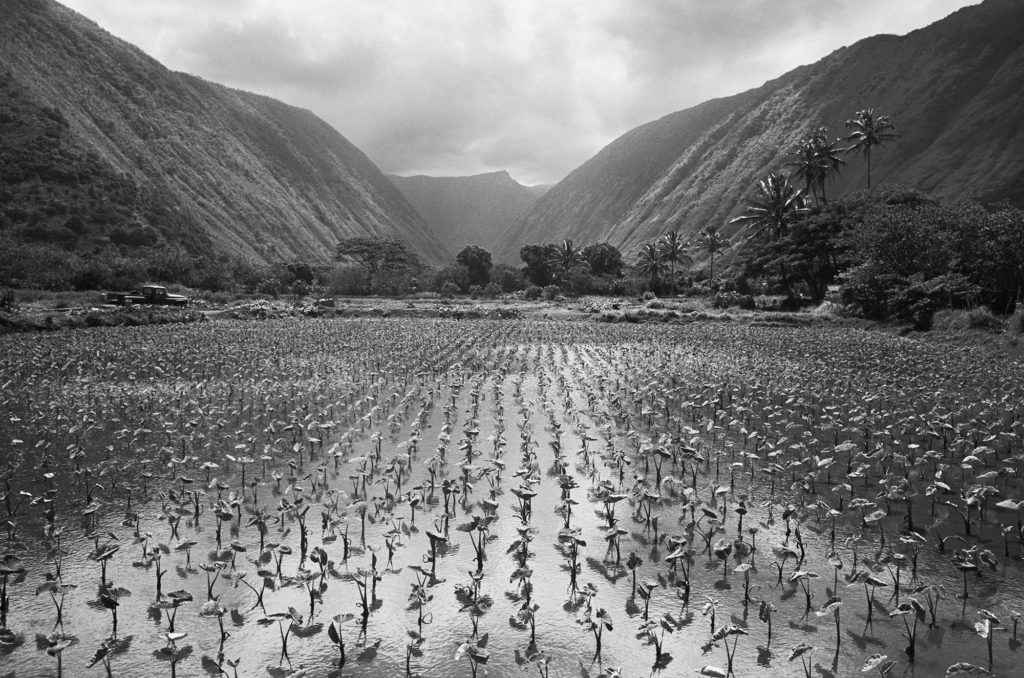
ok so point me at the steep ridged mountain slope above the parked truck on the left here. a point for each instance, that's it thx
(100, 144)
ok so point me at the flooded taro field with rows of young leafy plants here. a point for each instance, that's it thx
(443, 498)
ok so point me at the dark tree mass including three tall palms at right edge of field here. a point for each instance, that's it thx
(892, 253)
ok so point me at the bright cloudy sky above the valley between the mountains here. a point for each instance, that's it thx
(536, 88)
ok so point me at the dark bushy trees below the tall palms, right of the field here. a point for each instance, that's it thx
(894, 255)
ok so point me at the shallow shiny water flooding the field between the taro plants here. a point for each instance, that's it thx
(164, 401)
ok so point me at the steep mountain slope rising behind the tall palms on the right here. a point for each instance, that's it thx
(955, 91)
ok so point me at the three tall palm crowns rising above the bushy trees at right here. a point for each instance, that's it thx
(777, 202)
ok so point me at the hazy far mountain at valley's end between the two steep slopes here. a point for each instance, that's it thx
(470, 210)
